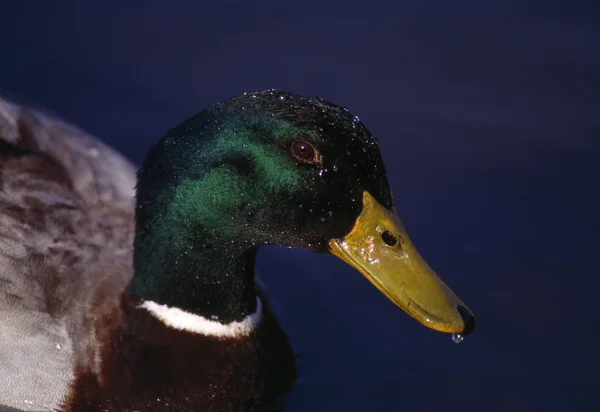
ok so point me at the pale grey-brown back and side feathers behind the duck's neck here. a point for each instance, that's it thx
(66, 232)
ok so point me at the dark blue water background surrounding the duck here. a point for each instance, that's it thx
(487, 115)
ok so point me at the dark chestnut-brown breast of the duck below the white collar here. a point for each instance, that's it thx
(179, 371)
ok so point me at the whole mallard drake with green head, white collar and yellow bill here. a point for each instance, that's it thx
(134, 290)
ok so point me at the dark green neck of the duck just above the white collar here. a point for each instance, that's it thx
(197, 273)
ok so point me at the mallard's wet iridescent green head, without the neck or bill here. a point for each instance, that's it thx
(236, 169)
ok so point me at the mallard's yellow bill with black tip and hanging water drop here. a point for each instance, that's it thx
(379, 248)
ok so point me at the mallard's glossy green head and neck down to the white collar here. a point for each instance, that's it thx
(262, 168)
